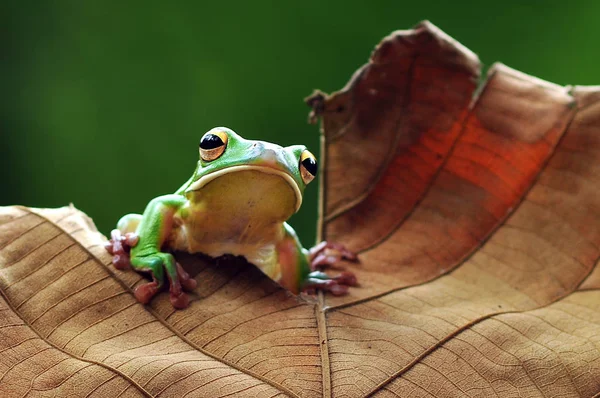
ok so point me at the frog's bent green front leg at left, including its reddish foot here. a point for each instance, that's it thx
(154, 228)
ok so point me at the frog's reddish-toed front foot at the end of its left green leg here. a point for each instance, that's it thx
(157, 264)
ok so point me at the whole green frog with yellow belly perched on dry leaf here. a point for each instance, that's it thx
(236, 203)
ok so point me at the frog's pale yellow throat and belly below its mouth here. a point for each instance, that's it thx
(240, 213)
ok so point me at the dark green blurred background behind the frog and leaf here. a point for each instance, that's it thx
(103, 103)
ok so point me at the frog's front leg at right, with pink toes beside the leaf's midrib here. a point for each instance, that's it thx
(298, 268)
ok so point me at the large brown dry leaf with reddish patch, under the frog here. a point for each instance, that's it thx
(477, 219)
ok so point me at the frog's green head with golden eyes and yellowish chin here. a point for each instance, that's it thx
(233, 167)
